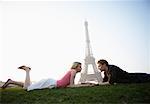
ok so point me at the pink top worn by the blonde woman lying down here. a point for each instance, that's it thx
(64, 81)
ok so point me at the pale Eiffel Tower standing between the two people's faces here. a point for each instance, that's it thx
(89, 60)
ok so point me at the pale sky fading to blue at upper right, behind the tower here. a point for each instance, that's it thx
(49, 36)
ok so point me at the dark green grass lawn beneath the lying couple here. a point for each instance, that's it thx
(120, 93)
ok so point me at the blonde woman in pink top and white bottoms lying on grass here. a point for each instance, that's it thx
(66, 81)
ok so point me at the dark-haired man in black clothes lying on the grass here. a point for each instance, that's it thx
(113, 74)
